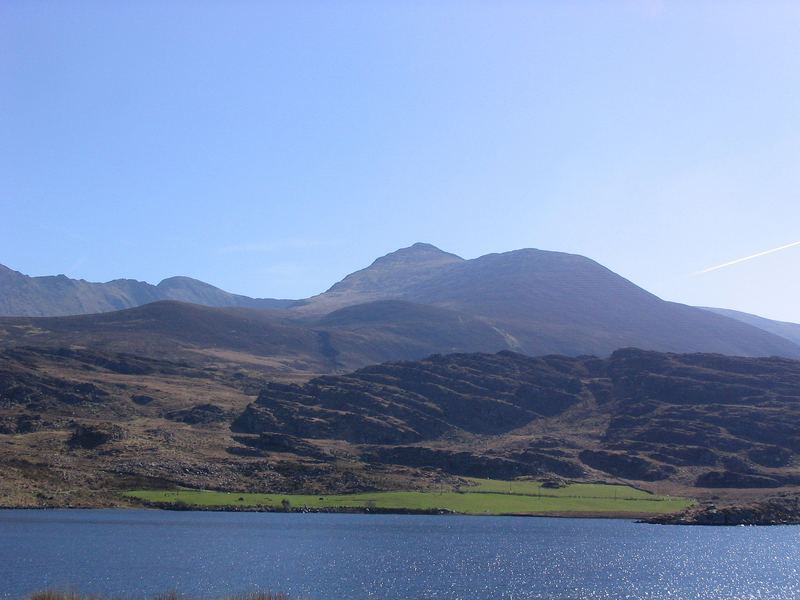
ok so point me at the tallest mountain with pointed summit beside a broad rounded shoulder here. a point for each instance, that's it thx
(547, 302)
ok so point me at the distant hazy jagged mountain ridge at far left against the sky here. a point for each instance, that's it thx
(21, 295)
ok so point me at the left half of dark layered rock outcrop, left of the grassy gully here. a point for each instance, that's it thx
(400, 403)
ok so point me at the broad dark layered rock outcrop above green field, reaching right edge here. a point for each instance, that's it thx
(720, 422)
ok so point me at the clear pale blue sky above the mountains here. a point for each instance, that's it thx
(270, 148)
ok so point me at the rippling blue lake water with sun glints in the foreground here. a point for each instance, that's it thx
(137, 553)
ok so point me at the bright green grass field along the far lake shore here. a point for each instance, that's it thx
(486, 497)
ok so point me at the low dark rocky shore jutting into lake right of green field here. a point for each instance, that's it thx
(781, 510)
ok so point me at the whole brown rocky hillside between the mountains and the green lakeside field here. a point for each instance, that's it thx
(78, 423)
